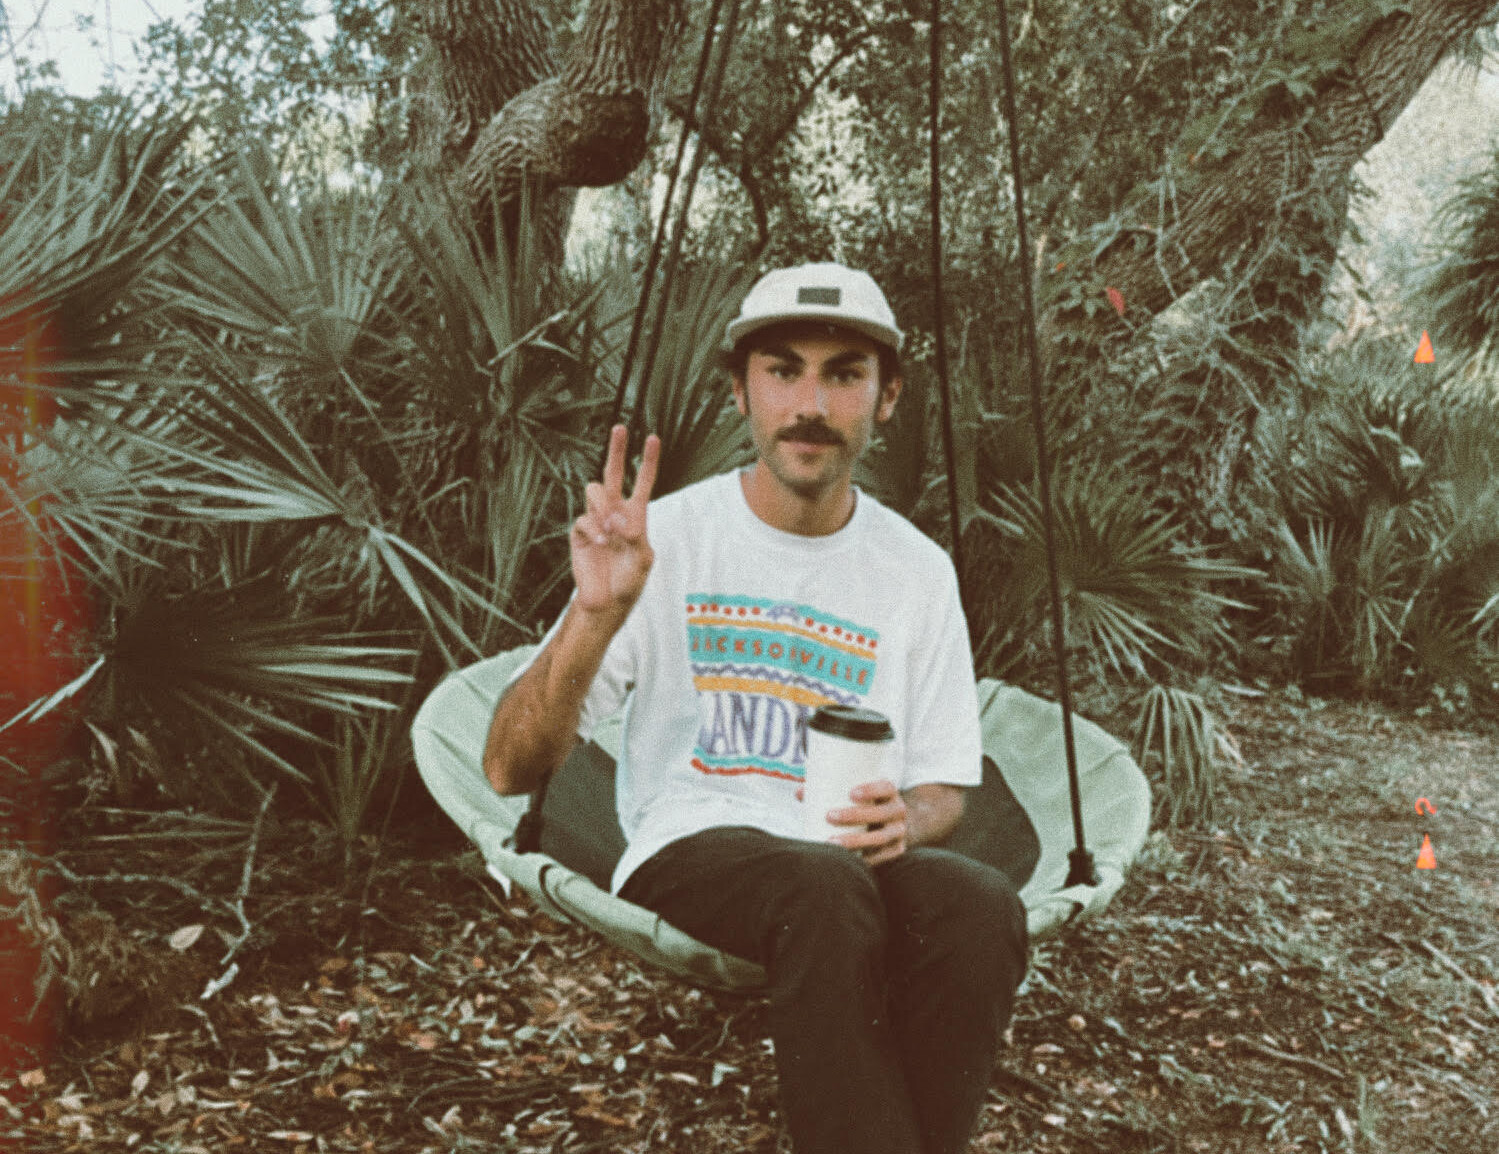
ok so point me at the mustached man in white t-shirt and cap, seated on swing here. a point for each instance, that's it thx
(756, 597)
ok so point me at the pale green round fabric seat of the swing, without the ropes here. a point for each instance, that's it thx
(1017, 821)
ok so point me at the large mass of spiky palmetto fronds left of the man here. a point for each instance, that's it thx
(347, 461)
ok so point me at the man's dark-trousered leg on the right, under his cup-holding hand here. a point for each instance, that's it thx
(959, 952)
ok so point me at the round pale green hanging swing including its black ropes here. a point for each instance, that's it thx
(1047, 774)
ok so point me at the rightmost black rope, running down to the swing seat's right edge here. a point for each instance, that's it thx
(1082, 870)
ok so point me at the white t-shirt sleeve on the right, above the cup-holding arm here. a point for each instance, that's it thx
(945, 743)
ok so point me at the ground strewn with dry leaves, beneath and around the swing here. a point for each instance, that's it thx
(1285, 982)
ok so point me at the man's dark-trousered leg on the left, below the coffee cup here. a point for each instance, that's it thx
(813, 916)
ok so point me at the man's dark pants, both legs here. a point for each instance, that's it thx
(890, 987)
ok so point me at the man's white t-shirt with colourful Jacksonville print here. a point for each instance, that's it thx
(744, 630)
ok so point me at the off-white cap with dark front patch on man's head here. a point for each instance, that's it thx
(818, 293)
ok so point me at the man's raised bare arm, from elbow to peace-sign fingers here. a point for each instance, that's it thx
(536, 725)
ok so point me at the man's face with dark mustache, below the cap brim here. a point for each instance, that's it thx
(813, 396)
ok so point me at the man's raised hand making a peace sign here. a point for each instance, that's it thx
(611, 551)
